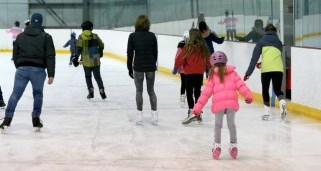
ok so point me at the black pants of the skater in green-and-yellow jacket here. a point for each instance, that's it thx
(96, 71)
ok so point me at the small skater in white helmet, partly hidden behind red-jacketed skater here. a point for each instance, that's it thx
(180, 70)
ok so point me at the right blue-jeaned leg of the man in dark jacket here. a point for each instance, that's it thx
(37, 78)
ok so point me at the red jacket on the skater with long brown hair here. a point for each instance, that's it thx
(194, 64)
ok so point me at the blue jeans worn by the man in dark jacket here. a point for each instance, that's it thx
(37, 77)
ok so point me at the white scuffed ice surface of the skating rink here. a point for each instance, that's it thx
(83, 135)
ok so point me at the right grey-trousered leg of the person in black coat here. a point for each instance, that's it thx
(150, 81)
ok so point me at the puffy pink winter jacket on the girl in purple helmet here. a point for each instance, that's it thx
(224, 94)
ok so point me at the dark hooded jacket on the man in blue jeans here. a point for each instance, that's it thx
(34, 47)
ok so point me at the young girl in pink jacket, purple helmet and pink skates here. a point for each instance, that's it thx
(223, 84)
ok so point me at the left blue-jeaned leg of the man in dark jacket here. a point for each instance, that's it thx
(20, 82)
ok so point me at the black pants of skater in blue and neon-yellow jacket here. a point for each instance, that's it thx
(276, 78)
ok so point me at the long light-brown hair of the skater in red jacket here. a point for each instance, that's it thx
(197, 44)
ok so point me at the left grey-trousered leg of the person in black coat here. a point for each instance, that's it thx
(139, 79)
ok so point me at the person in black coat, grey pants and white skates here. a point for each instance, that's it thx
(142, 54)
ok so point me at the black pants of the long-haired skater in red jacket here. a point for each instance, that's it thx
(193, 87)
